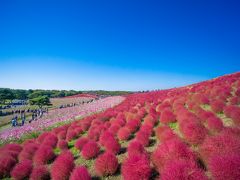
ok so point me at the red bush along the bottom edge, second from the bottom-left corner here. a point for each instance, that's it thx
(22, 170)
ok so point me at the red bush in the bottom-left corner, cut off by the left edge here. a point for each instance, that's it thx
(6, 164)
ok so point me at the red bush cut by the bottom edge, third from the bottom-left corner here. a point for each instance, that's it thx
(40, 173)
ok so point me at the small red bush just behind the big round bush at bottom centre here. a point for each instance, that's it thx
(136, 148)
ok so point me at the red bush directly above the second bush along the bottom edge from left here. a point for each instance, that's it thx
(28, 151)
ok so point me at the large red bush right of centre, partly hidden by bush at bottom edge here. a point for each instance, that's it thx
(171, 150)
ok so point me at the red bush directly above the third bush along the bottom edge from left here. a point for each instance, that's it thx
(43, 155)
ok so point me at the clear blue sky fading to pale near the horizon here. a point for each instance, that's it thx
(117, 44)
